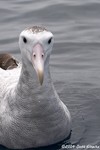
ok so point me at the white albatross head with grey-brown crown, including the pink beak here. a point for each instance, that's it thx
(36, 45)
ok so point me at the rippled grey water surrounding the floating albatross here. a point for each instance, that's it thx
(75, 61)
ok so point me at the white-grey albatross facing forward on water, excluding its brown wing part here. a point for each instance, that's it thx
(31, 112)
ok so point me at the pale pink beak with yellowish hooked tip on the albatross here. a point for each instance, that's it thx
(38, 61)
